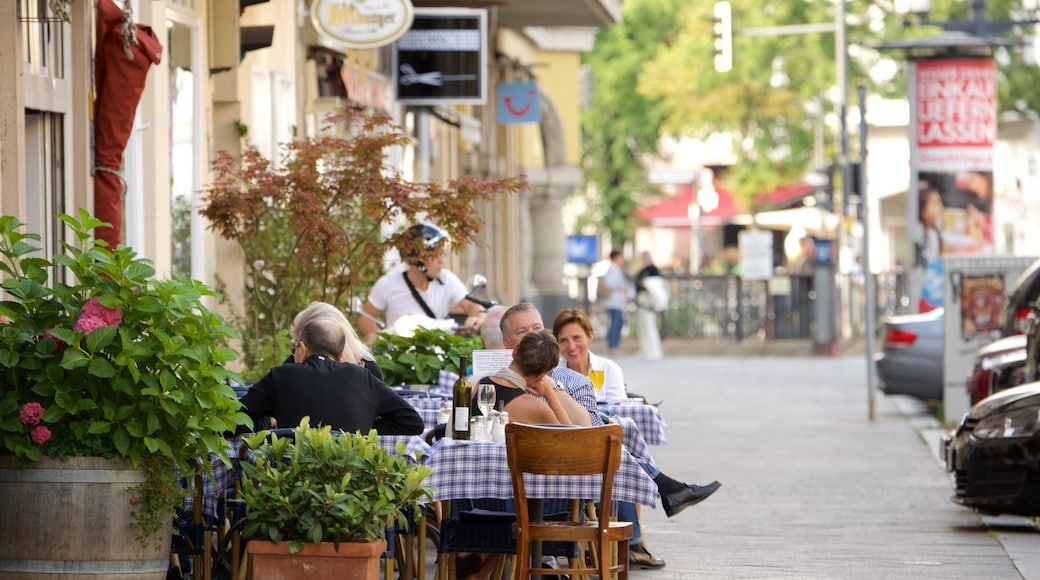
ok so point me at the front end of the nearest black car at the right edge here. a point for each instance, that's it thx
(995, 454)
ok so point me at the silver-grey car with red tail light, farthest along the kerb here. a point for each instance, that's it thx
(911, 362)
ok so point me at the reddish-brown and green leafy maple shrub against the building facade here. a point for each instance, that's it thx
(310, 228)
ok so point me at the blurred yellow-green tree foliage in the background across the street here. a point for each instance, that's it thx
(655, 75)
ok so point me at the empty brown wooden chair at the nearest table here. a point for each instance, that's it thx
(558, 453)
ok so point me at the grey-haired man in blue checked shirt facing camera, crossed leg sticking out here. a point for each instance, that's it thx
(677, 496)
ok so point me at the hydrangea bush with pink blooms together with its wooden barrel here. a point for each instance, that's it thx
(105, 368)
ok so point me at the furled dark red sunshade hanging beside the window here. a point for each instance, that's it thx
(124, 54)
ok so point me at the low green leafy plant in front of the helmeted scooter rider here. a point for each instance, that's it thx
(419, 359)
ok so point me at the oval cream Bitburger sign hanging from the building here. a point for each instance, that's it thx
(362, 24)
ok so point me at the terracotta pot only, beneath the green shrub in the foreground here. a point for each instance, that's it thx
(354, 561)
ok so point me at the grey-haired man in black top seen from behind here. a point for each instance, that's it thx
(344, 397)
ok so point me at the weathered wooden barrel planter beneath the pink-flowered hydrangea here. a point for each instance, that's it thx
(71, 520)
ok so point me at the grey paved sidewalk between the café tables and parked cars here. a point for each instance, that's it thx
(813, 488)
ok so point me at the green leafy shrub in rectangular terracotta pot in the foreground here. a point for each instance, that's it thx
(321, 502)
